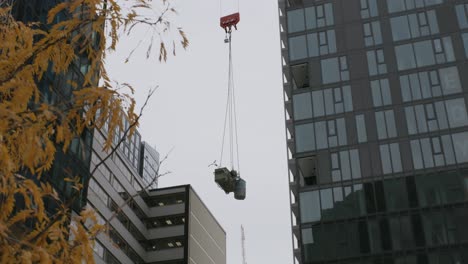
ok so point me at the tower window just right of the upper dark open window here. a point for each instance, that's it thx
(334, 70)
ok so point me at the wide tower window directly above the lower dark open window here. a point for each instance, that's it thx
(330, 133)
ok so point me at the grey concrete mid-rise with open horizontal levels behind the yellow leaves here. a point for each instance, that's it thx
(163, 226)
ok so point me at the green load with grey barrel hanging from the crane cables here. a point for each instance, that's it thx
(230, 181)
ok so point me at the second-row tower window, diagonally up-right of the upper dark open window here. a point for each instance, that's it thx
(321, 43)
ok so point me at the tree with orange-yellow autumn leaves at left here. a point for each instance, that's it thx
(40, 119)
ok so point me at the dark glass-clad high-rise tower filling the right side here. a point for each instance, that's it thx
(377, 129)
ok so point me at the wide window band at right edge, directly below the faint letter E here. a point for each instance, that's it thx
(436, 116)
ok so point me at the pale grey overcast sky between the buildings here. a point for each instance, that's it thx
(187, 114)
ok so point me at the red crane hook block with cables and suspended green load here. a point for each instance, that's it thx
(229, 179)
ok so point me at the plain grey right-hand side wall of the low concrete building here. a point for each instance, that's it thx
(207, 239)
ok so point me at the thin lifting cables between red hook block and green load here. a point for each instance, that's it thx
(230, 116)
